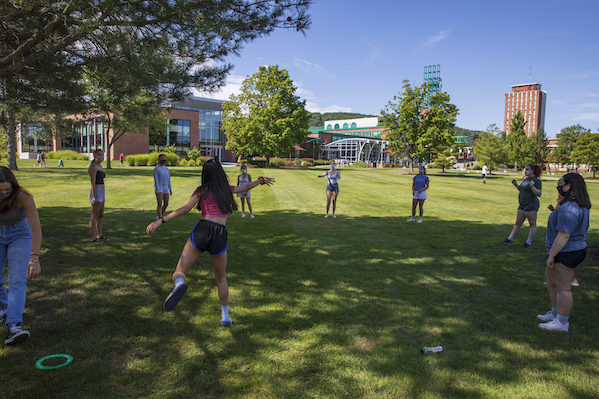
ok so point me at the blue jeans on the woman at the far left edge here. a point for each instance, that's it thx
(15, 244)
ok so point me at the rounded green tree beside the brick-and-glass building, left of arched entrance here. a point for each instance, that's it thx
(266, 118)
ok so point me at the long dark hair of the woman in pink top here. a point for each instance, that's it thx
(216, 182)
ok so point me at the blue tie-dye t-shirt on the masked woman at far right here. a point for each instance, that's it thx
(569, 218)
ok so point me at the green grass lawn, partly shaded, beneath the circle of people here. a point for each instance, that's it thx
(322, 308)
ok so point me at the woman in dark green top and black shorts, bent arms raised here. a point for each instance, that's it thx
(530, 190)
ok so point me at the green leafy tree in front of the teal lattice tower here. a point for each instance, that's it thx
(419, 125)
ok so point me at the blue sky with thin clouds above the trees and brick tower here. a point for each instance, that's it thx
(357, 53)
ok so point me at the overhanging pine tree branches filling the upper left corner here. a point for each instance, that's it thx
(44, 46)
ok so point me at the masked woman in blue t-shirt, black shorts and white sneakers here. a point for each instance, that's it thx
(566, 248)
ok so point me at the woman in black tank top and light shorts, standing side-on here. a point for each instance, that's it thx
(96, 196)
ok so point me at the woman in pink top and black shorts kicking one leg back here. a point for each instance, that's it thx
(214, 198)
